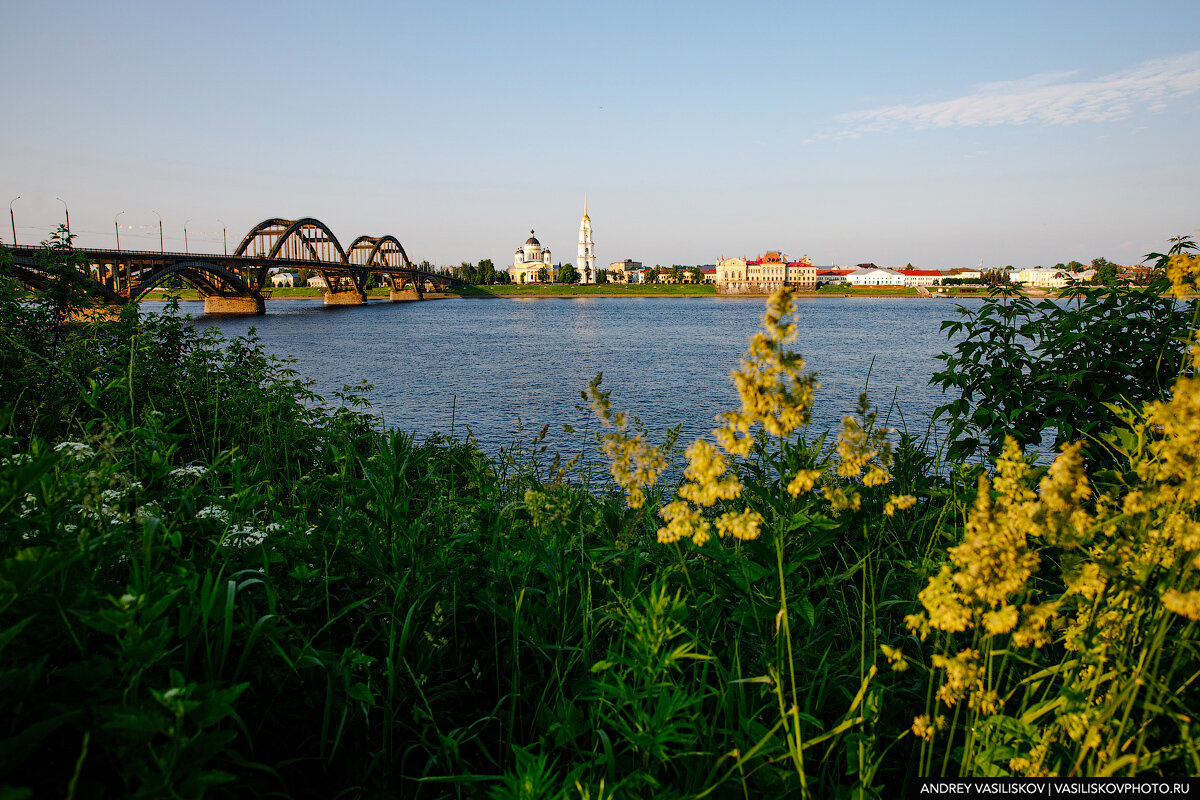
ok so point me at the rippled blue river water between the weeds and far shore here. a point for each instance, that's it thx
(485, 364)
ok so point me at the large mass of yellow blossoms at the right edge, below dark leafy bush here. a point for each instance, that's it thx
(1129, 563)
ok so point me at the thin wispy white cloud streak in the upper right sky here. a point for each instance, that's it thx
(1052, 99)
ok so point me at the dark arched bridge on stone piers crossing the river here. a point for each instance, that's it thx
(241, 284)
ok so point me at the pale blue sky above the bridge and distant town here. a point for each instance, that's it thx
(935, 134)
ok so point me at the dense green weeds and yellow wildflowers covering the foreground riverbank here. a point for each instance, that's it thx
(214, 582)
